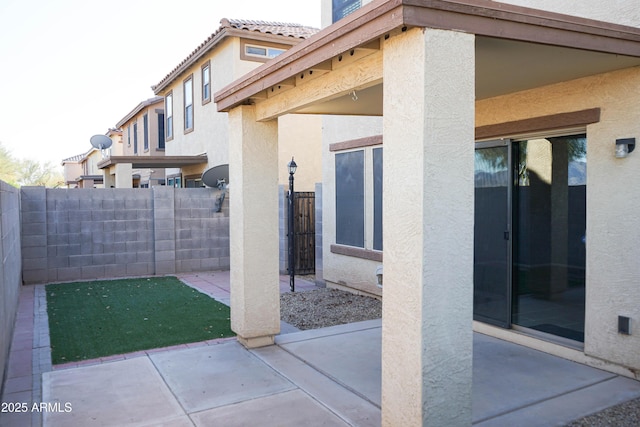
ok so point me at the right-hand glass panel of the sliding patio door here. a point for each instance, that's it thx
(549, 228)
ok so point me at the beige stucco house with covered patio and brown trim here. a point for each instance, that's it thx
(508, 205)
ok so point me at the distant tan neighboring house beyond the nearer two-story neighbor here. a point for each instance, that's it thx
(142, 140)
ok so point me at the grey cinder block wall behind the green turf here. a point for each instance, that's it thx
(83, 234)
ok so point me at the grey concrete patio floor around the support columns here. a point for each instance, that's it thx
(328, 376)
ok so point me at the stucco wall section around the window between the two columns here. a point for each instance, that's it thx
(340, 270)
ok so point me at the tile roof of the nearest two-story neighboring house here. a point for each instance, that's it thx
(289, 30)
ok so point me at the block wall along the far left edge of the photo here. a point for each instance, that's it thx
(11, 267)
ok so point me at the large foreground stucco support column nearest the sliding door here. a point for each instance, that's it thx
(428, 228)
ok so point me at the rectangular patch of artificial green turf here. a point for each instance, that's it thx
(88, 320)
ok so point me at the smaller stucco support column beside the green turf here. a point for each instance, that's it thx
(253, 215)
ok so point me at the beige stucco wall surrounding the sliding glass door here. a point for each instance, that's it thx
(613, 200)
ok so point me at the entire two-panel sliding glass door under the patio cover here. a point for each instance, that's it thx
(530, 221)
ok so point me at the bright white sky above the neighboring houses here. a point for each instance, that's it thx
(70, 69)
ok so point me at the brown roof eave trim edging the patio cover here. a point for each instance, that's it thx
(480, 17)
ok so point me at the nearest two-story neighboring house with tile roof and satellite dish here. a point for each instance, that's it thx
(194, 127)
